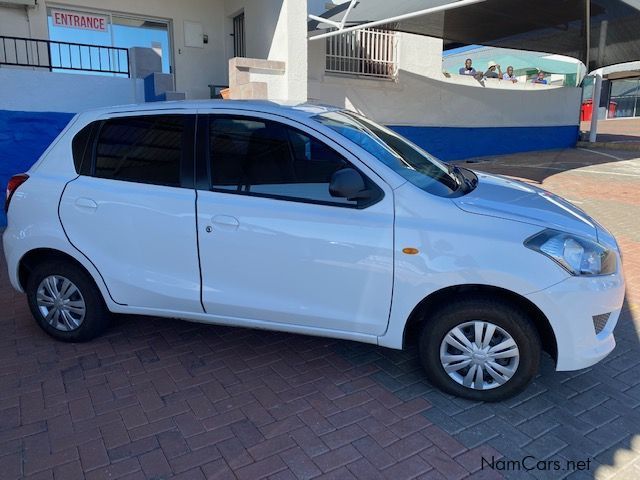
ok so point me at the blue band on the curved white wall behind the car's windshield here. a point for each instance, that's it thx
(457, 143)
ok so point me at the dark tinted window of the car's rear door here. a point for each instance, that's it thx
(143, 149)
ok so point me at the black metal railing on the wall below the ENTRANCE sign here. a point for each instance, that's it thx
(54, 55)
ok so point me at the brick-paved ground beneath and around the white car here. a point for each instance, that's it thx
(159, 398)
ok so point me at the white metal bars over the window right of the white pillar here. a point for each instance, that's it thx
(371, 52)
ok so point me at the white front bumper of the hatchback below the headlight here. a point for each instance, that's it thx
(570, 307)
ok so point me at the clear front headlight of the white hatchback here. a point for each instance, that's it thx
(577, 255)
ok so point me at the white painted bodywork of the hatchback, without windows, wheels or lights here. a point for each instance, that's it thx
(308, 268)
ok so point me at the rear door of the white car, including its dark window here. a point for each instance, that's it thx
(131, 211)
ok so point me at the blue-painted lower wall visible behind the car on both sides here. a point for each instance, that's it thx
(25, 135)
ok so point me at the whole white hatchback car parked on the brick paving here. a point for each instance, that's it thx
(310, 220)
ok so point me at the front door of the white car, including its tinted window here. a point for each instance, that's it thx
(275, 246)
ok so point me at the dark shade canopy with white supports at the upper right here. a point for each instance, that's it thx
(610, 36)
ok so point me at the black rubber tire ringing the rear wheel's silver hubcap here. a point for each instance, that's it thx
(96, 317)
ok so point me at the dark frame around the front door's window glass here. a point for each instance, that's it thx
(204, 179)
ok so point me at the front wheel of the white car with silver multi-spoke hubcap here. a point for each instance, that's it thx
(480, 349)
